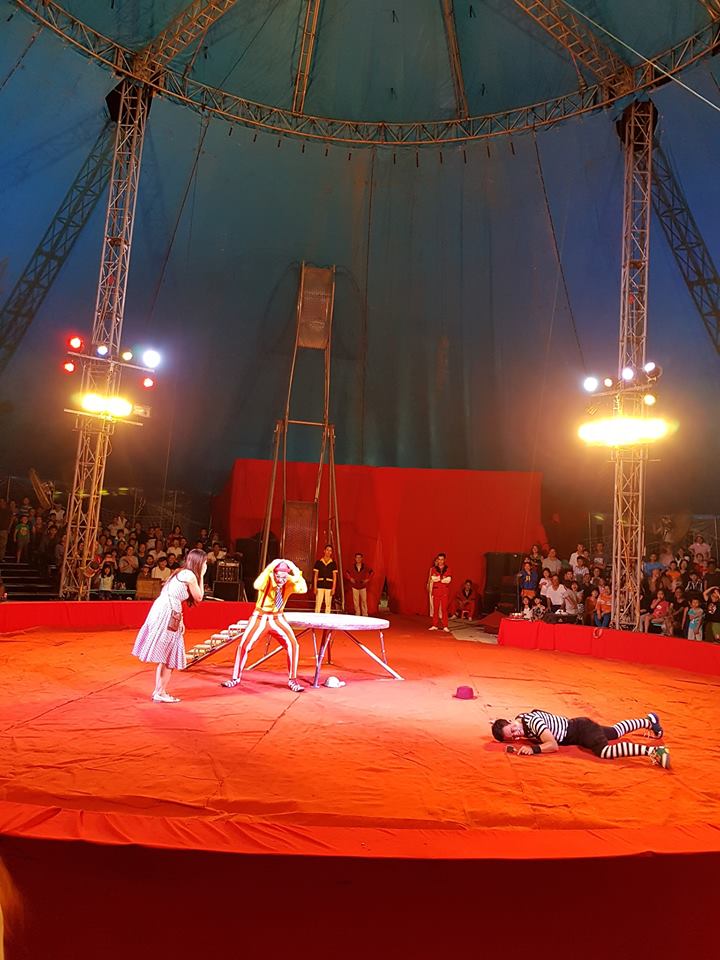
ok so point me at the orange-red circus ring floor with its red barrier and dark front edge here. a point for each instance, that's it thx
(379, 817)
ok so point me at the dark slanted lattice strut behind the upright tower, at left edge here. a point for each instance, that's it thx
(46, 262)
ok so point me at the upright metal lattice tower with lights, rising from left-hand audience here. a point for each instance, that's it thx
(102, 375)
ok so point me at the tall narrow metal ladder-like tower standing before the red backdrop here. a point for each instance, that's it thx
(300, 528)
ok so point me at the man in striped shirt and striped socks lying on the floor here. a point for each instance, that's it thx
(547, 731)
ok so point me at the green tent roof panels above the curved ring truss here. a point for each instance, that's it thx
(387, 60)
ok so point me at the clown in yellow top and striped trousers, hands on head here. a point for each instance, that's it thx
(275, 585)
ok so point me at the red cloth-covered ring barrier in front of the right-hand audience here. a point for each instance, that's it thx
(612, 645)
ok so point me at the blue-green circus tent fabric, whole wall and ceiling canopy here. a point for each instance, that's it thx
(453, 343)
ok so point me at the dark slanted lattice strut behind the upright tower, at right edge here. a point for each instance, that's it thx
(687, 244)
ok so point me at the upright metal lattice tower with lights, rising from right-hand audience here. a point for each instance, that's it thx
(637, 129)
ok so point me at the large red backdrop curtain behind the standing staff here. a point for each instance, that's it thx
(399, 518)
